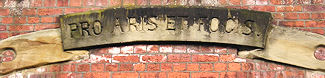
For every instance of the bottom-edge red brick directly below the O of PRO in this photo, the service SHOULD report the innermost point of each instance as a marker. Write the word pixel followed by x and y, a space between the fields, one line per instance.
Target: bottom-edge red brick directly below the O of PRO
pixel 97 75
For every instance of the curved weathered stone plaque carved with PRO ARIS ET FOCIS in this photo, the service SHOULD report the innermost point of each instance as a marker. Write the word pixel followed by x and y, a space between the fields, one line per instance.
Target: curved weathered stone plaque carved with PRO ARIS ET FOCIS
pixel 202 24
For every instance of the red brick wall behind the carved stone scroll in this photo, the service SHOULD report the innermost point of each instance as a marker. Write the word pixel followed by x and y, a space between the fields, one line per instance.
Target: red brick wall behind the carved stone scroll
pixel 157 60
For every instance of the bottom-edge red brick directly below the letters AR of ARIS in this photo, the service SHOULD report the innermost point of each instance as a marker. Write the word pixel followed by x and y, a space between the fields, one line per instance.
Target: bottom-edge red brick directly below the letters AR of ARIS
pixel 125 75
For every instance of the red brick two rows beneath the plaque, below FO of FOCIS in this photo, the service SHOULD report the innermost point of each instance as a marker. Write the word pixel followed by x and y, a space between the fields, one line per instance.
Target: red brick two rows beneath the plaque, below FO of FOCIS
pixel 205 58
